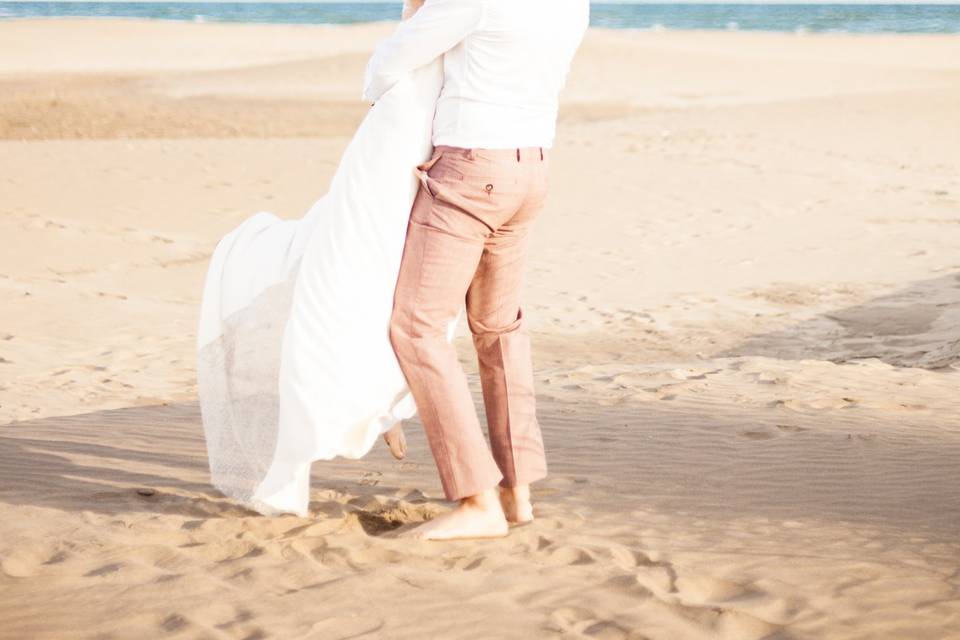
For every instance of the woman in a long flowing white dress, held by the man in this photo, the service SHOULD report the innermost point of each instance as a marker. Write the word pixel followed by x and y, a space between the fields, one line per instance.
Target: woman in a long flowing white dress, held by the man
pixel 294 357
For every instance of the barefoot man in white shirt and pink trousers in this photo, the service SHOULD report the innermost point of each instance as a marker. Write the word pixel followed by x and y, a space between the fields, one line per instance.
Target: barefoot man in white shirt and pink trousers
pixel 504 64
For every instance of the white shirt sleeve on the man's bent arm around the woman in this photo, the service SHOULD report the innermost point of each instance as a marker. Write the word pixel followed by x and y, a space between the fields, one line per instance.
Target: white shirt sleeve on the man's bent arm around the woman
pixel 437 27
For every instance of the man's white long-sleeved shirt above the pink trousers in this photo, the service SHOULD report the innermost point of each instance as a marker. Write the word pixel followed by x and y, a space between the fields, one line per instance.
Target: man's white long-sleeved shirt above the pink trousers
pixel 504 64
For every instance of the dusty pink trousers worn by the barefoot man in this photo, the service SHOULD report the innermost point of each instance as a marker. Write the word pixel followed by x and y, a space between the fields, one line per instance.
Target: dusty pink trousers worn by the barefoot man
pixel 466 243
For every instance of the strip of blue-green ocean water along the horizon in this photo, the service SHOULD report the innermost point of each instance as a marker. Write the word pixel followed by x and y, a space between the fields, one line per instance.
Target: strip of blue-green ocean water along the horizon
pixel 852 18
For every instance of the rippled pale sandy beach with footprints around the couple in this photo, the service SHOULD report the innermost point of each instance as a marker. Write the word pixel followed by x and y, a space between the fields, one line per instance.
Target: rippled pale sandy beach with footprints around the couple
pixel 745 304
